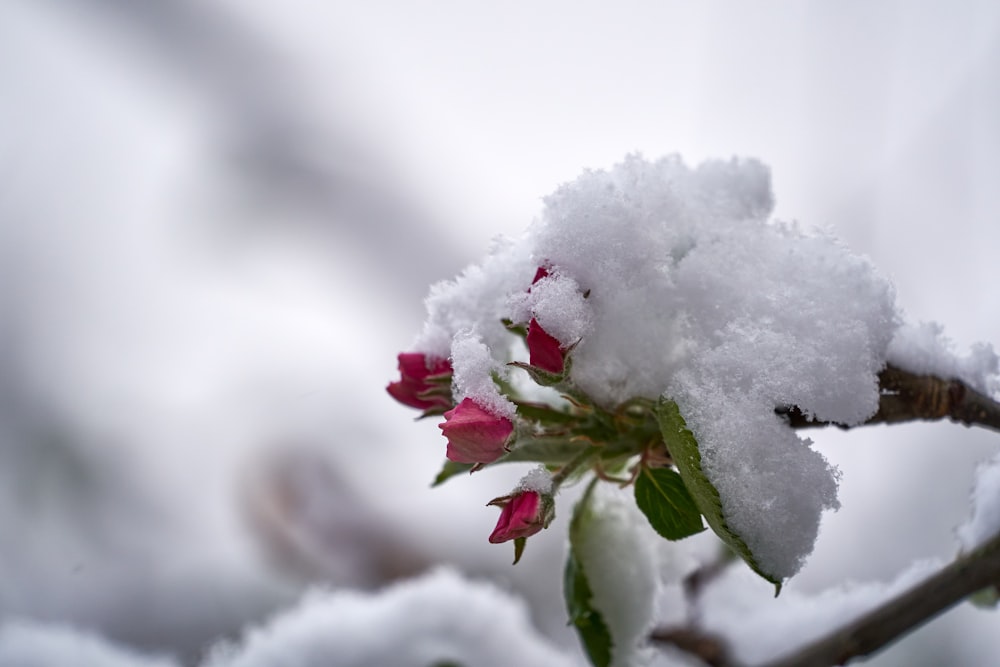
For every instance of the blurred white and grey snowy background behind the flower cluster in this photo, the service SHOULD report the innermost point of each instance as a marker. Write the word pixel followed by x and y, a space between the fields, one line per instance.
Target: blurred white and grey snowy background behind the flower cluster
pixel 218 221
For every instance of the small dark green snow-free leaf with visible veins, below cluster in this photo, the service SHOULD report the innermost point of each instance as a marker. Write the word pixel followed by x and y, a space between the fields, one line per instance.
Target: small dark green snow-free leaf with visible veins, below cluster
pixel 661 495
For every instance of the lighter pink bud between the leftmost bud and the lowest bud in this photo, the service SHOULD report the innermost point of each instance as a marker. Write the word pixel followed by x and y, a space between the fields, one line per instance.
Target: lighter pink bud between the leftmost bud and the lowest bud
pixel 475 435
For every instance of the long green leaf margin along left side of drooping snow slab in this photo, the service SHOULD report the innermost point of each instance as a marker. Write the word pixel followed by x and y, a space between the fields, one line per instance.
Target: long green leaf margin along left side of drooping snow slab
pixel 684 451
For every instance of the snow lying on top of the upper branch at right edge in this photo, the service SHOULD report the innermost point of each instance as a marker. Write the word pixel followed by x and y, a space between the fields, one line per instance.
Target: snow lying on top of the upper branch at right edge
pixel 925 350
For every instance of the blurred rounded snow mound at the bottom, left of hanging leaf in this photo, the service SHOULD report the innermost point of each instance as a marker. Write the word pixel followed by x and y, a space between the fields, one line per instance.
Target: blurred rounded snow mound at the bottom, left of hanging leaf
pixel 440 618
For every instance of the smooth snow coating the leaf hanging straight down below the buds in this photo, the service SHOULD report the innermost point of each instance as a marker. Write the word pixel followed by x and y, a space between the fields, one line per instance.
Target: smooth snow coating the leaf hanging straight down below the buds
pixel 617 551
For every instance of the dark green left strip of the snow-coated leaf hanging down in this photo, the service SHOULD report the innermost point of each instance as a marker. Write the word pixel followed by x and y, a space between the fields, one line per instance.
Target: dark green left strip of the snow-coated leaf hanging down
pixel 590 626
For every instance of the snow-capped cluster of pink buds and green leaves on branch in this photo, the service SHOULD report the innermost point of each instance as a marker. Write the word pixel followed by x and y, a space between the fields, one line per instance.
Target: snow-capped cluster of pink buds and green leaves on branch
pixel 706 323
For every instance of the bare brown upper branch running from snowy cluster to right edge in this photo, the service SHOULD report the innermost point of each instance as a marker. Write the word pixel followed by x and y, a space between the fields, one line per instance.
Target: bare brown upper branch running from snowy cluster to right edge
pixel 908 397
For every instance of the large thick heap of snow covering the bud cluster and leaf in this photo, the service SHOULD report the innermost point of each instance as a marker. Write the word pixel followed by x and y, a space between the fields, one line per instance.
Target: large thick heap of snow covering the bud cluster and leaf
pixel 675 284
